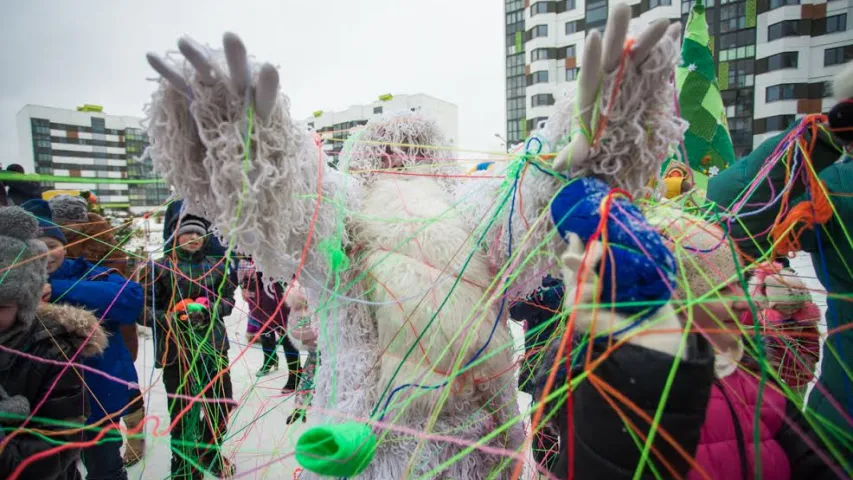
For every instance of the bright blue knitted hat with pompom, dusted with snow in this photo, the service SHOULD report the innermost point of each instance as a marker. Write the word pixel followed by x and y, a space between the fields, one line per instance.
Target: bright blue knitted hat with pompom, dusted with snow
pixel 633 268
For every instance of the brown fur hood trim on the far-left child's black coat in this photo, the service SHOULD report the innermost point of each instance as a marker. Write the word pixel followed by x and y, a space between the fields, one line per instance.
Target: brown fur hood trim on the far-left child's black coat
pixel 75 323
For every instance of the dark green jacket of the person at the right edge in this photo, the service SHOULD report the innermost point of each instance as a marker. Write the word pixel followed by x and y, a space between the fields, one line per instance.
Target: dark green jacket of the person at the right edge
pixel 831 251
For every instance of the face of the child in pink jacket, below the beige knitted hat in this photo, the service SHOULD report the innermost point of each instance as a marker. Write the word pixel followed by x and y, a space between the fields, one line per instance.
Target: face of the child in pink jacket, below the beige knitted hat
pixel 721 311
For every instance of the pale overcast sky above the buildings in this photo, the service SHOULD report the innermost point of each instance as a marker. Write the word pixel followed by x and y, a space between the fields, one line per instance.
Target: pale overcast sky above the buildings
pixel 331 53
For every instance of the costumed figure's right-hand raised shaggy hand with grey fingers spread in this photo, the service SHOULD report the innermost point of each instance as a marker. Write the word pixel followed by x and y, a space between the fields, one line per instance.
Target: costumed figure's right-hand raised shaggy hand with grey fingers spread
pixel 625 118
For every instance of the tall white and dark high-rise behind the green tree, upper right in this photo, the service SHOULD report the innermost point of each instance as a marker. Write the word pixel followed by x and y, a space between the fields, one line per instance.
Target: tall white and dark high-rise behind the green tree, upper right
pixel 774 57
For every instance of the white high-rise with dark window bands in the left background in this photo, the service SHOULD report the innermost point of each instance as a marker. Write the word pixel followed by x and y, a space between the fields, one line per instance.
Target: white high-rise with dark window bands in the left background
pixel 87 144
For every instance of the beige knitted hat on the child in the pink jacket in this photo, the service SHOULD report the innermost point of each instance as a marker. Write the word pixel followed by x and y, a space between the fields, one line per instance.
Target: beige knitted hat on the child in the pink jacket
pixel 706 260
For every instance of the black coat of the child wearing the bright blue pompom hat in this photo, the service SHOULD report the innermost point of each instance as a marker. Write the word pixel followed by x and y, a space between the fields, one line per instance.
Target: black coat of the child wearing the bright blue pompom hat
pixel 603 448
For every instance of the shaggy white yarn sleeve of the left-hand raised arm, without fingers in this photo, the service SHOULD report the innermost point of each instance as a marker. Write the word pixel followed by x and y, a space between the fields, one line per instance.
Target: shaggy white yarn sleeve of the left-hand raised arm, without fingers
pixel 256 181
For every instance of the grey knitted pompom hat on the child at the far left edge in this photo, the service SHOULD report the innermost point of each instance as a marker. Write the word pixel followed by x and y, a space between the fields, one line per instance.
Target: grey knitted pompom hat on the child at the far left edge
pixel 23 261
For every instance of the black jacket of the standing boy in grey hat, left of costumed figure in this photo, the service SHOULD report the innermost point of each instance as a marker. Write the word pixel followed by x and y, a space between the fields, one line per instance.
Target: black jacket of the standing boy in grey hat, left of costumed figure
pixel 200 276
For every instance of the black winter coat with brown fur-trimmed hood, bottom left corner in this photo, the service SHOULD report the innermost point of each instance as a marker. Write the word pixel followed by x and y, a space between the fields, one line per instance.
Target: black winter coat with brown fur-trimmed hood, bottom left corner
pixel 57 334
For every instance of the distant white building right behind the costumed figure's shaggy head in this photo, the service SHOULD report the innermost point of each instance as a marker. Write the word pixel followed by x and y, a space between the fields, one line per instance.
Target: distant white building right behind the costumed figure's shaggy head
pixel 335 127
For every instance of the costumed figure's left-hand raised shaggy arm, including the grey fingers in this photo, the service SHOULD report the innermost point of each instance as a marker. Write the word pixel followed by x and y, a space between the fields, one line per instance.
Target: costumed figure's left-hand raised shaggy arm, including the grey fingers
pixel 222 135
